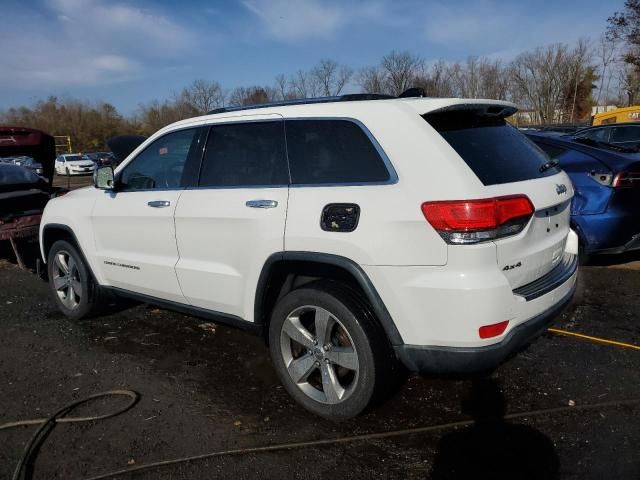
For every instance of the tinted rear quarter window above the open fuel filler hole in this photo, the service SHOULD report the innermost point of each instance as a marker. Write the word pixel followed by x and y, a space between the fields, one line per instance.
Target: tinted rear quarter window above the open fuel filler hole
pixel 332 151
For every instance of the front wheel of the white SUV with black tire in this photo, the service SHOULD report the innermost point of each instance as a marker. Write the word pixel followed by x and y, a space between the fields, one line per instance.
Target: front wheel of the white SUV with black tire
pixel 74 305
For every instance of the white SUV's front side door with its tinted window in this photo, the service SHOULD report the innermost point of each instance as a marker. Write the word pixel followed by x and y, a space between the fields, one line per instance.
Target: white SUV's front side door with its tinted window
pixel 133 226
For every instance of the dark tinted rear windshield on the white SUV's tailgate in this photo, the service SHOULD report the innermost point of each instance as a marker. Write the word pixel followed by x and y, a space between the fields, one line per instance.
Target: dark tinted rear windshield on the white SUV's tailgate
pixel 494 150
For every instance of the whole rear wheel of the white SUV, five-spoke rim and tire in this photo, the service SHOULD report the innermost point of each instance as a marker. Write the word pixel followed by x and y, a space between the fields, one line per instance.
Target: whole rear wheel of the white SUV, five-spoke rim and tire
pixel 327 351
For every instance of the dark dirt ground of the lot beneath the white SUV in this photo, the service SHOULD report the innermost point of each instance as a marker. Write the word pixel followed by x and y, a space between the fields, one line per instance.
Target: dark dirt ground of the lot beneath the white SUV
pixel 206 389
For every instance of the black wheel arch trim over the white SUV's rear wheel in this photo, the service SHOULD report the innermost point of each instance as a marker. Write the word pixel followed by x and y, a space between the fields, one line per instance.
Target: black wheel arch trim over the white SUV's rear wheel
pixel 285 271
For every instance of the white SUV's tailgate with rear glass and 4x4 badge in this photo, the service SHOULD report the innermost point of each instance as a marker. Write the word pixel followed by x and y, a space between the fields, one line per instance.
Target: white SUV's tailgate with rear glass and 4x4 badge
pixel 508 163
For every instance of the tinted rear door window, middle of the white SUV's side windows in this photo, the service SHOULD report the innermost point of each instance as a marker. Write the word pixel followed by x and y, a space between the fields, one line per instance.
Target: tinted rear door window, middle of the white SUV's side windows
pixel 245 155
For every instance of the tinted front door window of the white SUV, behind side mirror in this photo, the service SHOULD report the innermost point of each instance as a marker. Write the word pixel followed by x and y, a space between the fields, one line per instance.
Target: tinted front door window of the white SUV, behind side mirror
pixel 161 164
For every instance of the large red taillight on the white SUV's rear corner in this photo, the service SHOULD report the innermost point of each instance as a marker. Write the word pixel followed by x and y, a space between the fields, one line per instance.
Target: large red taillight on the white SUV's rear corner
pixel 473 221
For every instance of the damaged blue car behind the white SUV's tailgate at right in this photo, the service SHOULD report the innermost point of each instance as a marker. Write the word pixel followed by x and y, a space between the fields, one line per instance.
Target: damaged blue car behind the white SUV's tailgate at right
pixel 605 211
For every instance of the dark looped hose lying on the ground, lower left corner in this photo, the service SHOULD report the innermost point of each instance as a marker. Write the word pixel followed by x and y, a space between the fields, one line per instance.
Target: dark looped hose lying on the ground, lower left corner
pixel 47 424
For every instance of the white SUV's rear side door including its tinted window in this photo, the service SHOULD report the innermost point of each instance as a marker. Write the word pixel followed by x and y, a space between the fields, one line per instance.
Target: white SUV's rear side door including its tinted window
pixel 229 225
